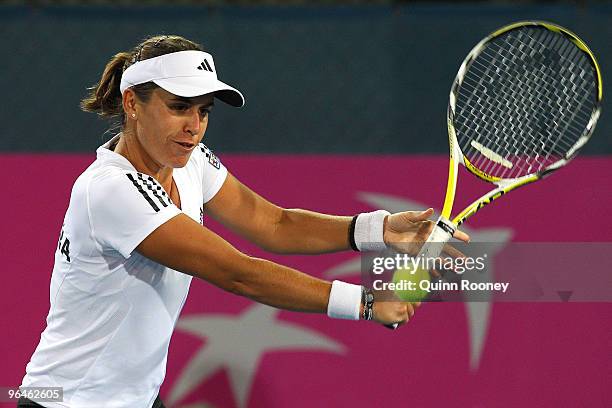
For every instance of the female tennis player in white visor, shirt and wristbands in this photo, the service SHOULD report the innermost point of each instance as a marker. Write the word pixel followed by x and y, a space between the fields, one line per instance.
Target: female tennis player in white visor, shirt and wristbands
pixel 133 238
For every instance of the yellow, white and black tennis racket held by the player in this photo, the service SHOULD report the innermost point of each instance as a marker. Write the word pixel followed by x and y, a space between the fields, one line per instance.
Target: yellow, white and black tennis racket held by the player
pixel 524 102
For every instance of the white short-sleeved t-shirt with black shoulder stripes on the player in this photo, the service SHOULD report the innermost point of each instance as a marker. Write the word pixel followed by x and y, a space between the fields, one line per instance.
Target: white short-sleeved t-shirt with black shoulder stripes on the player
pixel 112 310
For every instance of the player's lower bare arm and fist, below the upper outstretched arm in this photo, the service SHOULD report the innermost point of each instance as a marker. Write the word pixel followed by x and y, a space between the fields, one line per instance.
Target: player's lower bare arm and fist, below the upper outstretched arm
pixel 184 245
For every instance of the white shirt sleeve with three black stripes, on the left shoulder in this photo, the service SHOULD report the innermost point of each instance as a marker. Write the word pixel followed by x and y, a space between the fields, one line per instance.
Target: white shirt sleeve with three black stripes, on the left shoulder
pixel 124 208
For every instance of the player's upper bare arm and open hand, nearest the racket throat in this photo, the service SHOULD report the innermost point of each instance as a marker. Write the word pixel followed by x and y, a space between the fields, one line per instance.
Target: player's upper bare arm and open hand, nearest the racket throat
pixel 297 231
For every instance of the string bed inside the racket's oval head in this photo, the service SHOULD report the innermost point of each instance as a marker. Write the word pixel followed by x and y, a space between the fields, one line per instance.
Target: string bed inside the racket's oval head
pixel 524 102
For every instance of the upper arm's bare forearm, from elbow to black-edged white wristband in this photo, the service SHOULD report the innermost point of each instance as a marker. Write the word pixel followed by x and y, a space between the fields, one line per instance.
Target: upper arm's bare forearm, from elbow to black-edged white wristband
pixel 306 232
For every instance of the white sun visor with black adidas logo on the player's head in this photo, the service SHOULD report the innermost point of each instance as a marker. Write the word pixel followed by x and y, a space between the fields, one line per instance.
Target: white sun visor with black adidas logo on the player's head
pixel 183 73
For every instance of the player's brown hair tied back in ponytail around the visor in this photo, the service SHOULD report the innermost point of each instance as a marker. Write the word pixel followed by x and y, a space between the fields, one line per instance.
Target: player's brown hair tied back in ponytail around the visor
pixel 105 98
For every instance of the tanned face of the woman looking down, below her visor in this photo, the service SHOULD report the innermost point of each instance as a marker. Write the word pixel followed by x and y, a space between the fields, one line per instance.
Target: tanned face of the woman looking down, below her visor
pixel 169 127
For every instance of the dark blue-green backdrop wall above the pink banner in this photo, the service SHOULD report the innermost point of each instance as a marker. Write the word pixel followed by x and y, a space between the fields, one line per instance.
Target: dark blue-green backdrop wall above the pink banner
pixel 316 79
